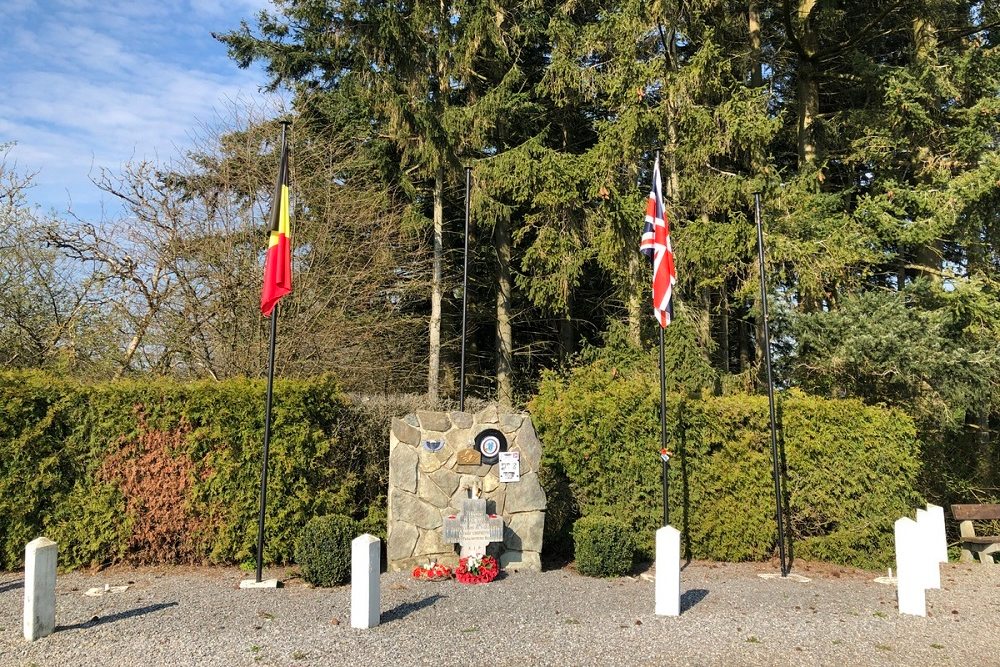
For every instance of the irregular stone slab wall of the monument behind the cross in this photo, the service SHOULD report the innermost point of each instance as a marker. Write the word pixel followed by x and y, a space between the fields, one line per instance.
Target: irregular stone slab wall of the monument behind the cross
pixel 426 486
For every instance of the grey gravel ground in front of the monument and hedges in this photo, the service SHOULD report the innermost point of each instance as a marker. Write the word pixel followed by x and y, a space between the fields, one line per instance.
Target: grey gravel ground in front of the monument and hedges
pixel 730 616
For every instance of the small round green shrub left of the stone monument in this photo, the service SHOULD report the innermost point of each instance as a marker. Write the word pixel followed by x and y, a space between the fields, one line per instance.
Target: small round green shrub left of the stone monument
pixel 323 551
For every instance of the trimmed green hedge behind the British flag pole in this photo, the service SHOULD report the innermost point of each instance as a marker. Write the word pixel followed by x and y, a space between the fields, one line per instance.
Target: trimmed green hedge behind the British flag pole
pixel 851 468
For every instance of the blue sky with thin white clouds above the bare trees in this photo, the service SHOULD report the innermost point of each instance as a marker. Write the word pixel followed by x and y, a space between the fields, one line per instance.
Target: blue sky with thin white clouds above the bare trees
pixel 89 84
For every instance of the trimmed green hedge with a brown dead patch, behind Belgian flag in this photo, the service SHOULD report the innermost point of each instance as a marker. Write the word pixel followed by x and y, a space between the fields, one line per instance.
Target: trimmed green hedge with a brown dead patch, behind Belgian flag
pixel 164 472
